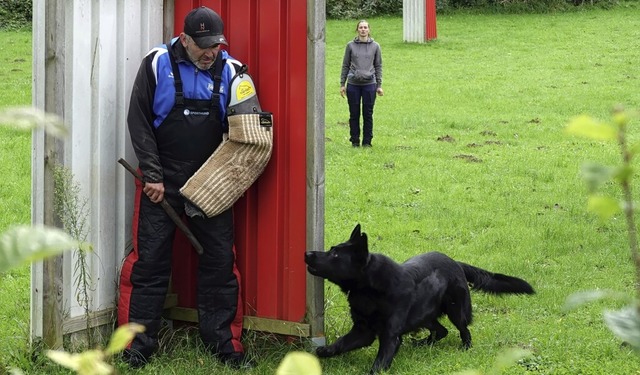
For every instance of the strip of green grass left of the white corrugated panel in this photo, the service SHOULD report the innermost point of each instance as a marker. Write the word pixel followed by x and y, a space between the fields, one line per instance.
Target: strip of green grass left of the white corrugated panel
pixel 15 191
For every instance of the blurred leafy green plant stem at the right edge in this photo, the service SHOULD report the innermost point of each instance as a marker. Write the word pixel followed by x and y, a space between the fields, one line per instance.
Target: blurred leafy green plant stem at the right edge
pixel 624 323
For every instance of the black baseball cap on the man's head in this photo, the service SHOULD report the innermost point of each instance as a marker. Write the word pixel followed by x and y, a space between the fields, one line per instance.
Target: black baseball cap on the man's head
pixel 205 27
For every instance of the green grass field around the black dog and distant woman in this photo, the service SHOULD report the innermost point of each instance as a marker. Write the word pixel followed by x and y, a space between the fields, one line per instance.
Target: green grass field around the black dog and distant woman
pixel 469 158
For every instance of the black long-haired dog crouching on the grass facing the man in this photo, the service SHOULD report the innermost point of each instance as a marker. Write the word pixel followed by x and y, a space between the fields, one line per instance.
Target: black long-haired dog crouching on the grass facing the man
pixel 388 300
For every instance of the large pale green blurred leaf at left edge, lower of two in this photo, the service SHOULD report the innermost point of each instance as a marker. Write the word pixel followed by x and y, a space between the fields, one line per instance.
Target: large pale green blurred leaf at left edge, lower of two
pixel 24 244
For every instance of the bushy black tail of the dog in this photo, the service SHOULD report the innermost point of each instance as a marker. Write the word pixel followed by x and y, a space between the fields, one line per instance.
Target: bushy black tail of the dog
pixel 495 283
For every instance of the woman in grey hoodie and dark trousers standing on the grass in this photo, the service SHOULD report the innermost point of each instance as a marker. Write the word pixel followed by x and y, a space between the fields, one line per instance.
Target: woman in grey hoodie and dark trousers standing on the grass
pixel 362 75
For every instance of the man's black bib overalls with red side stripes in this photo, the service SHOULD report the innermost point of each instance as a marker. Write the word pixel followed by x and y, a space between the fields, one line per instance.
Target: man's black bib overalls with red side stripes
pixel 186 138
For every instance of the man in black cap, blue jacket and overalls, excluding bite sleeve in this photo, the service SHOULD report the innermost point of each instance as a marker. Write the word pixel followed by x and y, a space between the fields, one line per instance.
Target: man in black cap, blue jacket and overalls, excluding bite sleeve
pixel 176 119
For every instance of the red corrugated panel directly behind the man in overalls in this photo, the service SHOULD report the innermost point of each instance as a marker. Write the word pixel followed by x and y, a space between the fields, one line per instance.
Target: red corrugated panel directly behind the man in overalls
pixel 270 37
